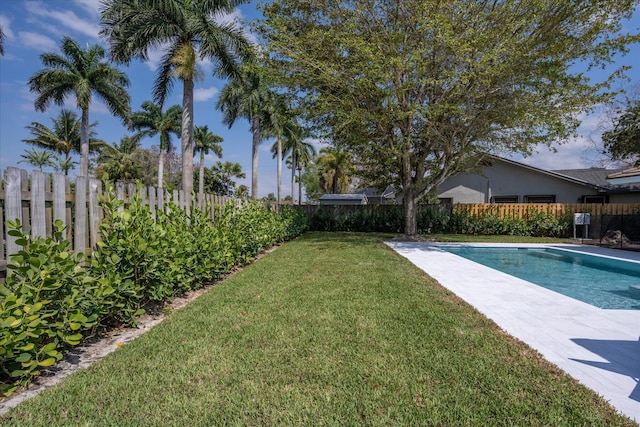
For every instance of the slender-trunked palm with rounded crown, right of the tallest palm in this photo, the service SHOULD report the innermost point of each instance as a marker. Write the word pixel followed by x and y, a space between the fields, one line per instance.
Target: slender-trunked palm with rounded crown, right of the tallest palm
pixel 246 96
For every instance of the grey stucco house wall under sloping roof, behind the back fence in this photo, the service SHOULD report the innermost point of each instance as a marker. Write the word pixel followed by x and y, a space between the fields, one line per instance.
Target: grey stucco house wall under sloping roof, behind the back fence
pixel 506 179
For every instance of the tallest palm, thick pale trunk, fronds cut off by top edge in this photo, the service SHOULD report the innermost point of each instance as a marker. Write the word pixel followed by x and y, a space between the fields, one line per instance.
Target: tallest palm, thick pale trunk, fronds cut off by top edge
pixel 186 30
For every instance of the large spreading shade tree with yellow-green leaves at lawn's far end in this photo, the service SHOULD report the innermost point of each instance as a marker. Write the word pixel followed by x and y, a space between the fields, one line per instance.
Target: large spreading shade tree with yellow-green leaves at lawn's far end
pixel 418 90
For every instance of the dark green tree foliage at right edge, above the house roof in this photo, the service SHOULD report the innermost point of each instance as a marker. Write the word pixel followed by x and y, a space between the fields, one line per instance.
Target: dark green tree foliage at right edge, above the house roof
pixel 623 141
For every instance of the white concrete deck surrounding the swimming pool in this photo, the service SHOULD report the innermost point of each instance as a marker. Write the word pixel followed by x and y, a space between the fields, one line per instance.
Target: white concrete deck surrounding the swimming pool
pixel 600 348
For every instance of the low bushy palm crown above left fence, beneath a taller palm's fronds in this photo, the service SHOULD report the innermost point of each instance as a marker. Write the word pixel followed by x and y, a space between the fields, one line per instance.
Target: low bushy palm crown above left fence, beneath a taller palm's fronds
pixel 64 138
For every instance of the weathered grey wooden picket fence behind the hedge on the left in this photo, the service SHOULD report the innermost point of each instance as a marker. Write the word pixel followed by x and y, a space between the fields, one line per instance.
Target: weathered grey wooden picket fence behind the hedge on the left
pixel 41 199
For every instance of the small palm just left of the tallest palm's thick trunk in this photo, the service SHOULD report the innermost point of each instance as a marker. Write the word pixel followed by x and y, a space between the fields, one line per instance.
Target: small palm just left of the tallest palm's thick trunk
pixel 151 121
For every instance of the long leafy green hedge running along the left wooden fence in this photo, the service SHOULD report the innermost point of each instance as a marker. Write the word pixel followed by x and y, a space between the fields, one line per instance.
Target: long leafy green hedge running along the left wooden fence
pixel 53 298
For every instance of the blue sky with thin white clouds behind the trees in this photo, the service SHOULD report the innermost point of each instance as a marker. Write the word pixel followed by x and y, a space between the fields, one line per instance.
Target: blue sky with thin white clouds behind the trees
pixel 34 27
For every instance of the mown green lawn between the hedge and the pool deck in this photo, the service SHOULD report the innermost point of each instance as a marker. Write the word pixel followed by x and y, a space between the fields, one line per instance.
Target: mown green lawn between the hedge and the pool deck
pixel 330 329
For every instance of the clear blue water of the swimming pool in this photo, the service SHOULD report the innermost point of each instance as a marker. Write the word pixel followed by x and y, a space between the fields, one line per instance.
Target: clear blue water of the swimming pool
pixel 599 281
